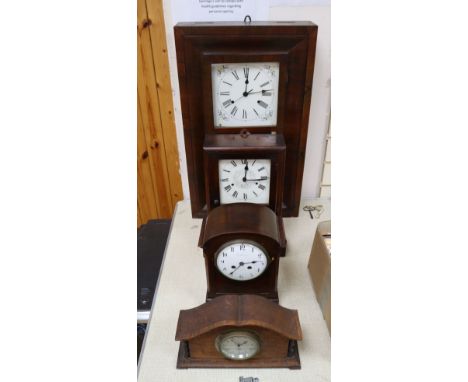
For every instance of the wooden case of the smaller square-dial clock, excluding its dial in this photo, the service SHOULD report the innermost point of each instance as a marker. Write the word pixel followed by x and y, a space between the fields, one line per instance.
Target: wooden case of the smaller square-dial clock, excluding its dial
pixel 234 146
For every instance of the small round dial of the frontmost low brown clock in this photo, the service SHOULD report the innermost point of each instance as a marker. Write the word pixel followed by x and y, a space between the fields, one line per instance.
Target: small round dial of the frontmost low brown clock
pixel 238 345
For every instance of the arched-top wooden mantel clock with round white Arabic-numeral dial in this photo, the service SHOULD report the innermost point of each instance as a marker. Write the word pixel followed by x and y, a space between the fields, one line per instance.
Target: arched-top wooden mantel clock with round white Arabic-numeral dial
pixel 242 244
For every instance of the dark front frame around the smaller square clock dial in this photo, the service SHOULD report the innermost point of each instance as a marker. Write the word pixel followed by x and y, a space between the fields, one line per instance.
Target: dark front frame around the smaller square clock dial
pixel 212 156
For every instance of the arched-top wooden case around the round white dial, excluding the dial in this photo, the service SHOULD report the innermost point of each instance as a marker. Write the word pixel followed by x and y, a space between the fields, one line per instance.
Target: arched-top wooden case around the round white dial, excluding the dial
pixel 251 222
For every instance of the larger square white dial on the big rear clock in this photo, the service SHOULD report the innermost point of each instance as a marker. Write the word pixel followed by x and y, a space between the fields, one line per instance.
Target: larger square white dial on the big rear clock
pixel 245 94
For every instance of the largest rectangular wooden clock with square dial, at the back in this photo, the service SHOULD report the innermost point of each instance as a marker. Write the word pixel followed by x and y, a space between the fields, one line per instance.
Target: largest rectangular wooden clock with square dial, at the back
pixel 256 76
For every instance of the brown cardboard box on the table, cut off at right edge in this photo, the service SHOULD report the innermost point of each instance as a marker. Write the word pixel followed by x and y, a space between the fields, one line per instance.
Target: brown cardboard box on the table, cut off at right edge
pixel 320 269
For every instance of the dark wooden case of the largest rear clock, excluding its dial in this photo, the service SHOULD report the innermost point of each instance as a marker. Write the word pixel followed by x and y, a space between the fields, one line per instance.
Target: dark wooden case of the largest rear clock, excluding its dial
pixel 199 45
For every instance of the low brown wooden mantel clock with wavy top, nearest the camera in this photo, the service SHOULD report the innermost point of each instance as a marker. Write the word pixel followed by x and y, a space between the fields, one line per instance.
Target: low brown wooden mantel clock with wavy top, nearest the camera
pixel 238 332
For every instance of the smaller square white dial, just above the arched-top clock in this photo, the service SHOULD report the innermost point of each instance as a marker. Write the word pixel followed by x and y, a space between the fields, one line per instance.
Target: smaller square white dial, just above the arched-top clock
pixel 244 181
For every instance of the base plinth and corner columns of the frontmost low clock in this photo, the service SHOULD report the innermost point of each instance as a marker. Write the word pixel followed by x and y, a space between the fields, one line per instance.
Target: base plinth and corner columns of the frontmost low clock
pixel 291 361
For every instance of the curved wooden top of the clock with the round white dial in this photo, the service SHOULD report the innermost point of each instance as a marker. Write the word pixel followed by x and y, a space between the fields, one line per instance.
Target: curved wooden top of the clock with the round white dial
pixel 250 219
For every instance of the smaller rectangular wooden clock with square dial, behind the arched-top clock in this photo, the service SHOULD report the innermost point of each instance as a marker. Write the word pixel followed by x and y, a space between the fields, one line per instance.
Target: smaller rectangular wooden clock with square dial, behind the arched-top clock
pixel 244 169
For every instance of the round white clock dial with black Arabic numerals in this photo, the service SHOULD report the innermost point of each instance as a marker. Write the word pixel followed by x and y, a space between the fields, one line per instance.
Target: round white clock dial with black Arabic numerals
pixel 241 260
